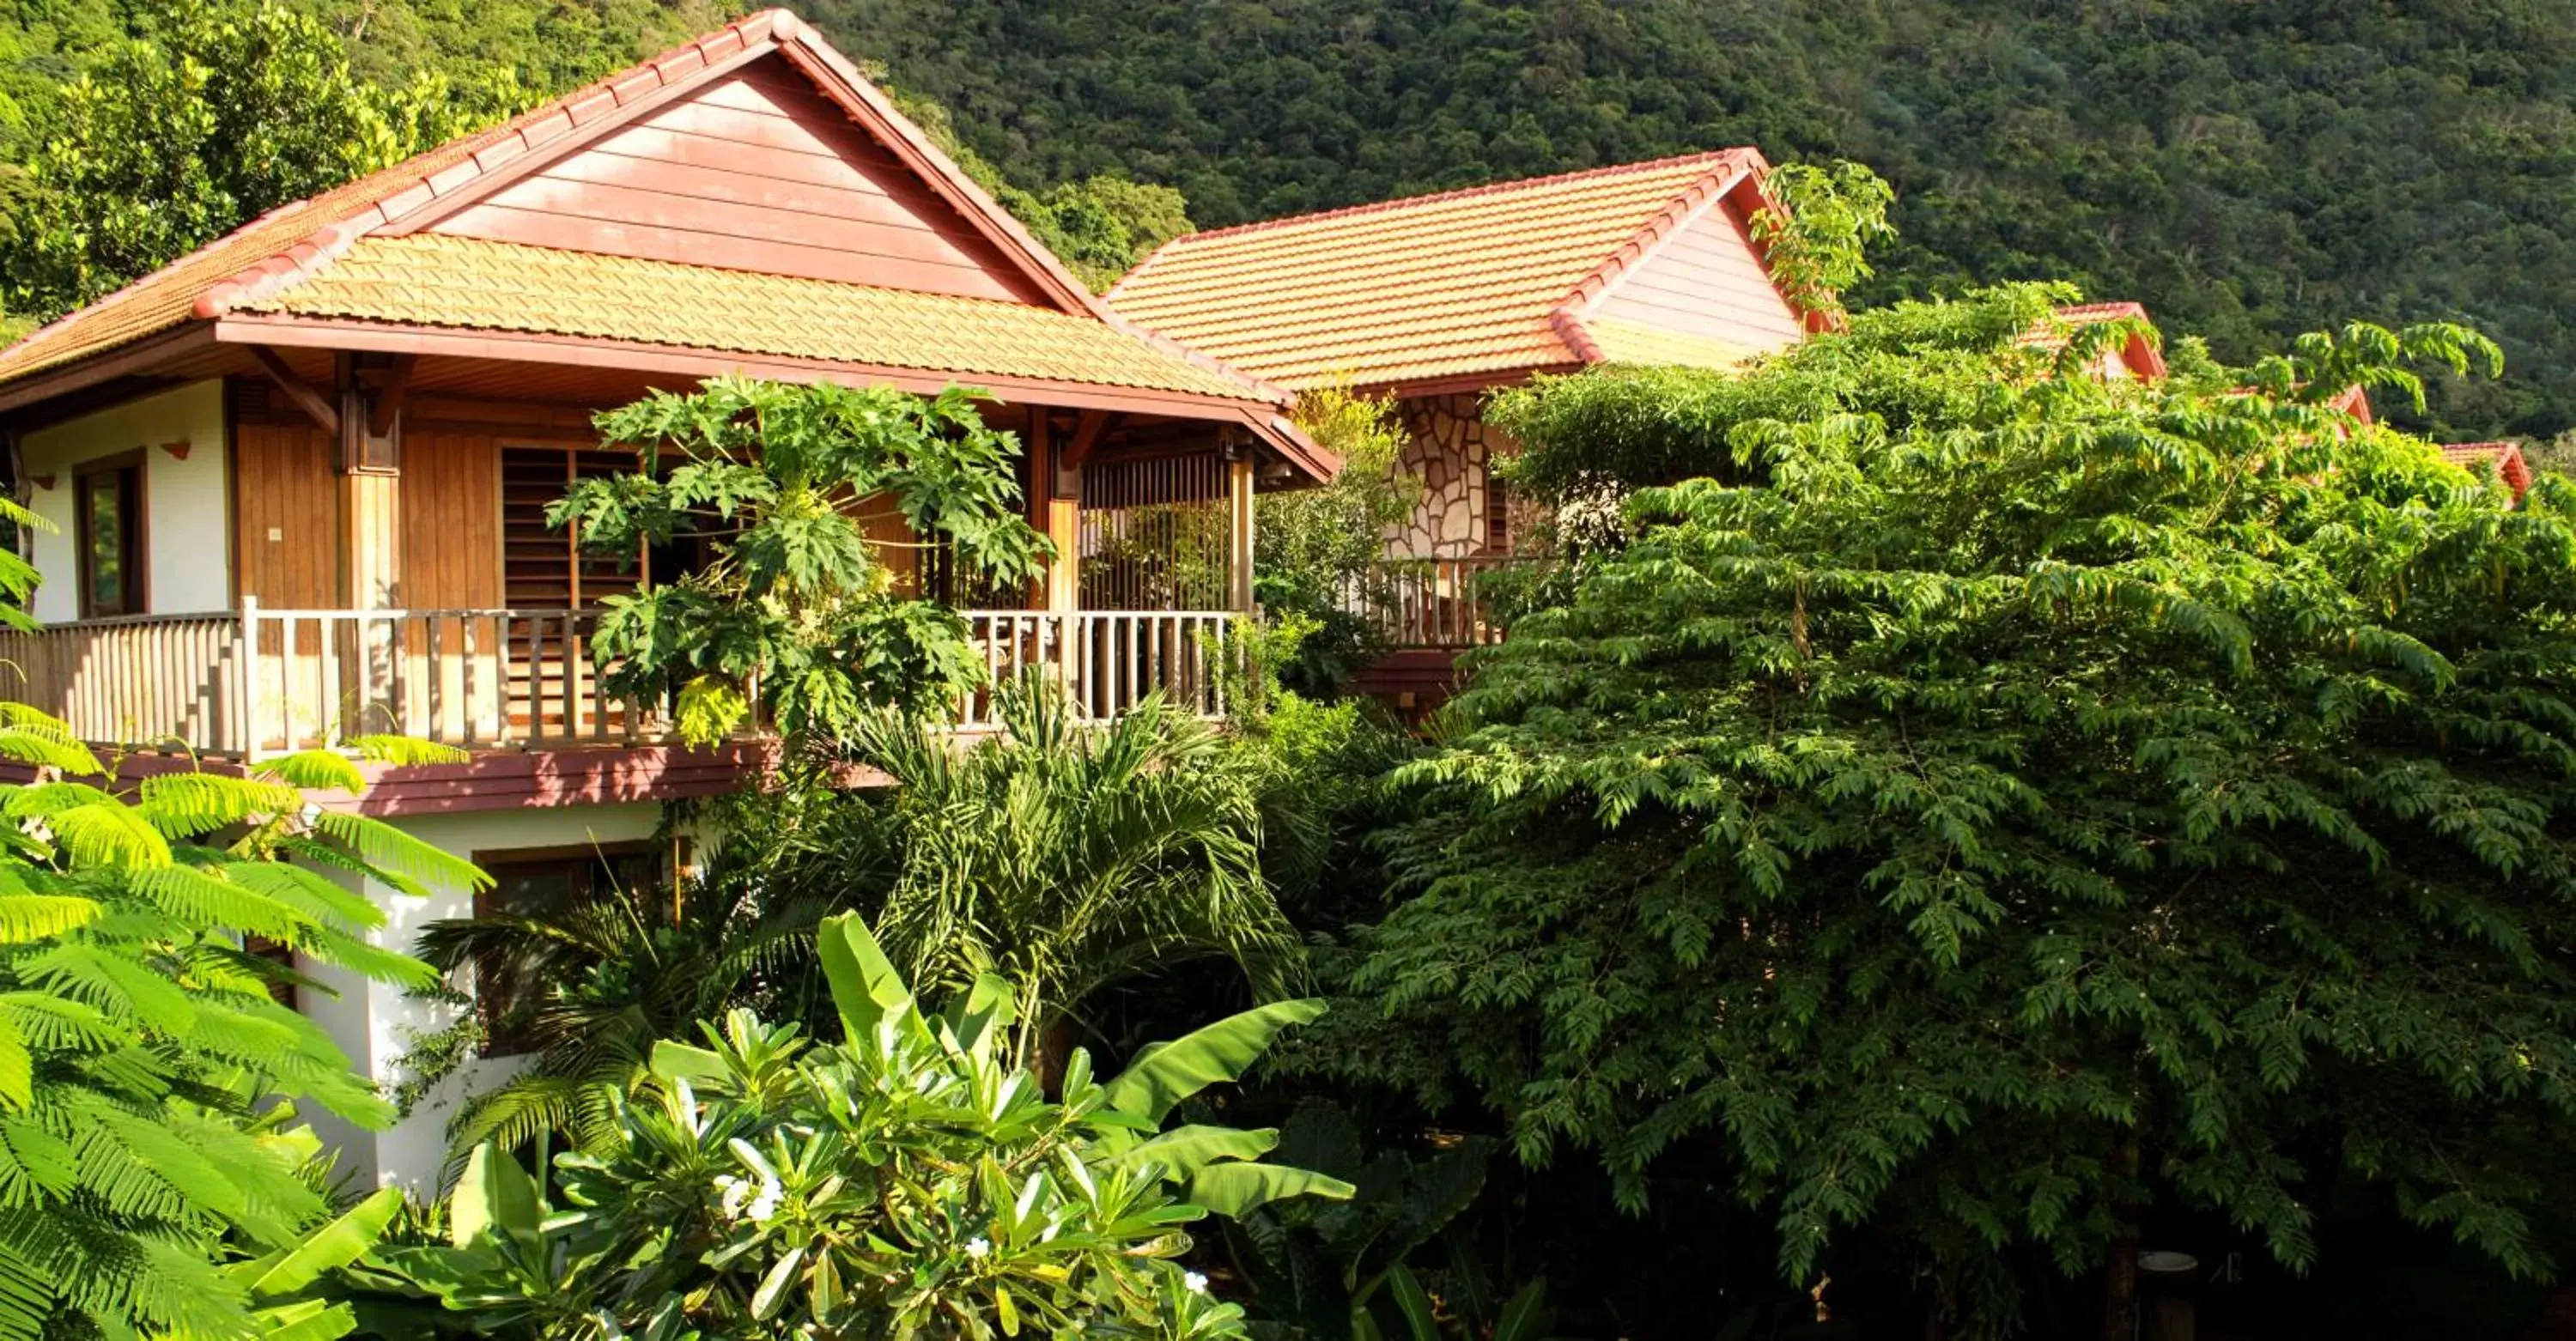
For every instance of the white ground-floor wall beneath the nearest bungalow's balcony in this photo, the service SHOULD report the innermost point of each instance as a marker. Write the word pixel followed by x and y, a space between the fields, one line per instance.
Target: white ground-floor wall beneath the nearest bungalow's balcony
pixel 375 1023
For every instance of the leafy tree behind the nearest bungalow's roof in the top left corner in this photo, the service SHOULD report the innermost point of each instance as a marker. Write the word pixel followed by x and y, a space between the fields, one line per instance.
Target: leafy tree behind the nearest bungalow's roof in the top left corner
pixel 225 112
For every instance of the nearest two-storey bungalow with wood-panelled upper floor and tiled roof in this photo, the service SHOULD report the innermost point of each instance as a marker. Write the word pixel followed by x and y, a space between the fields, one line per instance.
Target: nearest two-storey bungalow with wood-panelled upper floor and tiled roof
pixel 298 477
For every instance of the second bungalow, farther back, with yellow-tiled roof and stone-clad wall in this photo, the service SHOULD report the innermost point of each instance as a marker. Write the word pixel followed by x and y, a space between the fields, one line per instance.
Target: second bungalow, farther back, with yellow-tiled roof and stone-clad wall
pixel 1441 300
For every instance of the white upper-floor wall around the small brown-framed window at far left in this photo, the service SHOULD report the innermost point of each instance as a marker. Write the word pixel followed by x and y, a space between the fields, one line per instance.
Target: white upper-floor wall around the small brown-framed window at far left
pixel 187 511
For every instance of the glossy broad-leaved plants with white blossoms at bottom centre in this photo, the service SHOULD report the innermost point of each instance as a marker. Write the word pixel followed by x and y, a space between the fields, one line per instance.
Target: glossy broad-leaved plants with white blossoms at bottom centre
pixel 900 1183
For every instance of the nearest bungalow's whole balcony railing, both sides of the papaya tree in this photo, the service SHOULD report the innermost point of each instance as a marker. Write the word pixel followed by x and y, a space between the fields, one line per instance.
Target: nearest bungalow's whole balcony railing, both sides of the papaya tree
pixel 254 683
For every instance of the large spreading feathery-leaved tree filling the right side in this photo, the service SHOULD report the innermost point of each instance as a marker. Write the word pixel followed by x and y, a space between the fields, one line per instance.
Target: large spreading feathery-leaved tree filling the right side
pixel 2039 809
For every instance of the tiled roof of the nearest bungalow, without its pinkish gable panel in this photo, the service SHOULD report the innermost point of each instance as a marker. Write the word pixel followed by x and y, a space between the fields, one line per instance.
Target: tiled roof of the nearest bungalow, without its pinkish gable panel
pixel 321 256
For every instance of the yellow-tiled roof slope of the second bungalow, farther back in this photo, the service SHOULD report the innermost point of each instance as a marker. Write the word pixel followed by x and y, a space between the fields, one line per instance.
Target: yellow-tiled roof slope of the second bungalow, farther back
pixel 1405 292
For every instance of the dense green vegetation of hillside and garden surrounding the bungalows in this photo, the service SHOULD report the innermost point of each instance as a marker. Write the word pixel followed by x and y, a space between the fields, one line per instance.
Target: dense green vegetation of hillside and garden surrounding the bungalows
pixel 1941 828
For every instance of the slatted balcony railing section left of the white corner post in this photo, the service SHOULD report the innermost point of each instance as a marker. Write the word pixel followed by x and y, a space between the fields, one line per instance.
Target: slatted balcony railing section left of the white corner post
pixel 151 681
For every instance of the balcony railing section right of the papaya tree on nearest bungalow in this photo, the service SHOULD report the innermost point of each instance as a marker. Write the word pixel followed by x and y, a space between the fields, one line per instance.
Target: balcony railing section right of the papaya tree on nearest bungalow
pixel 1112 660
